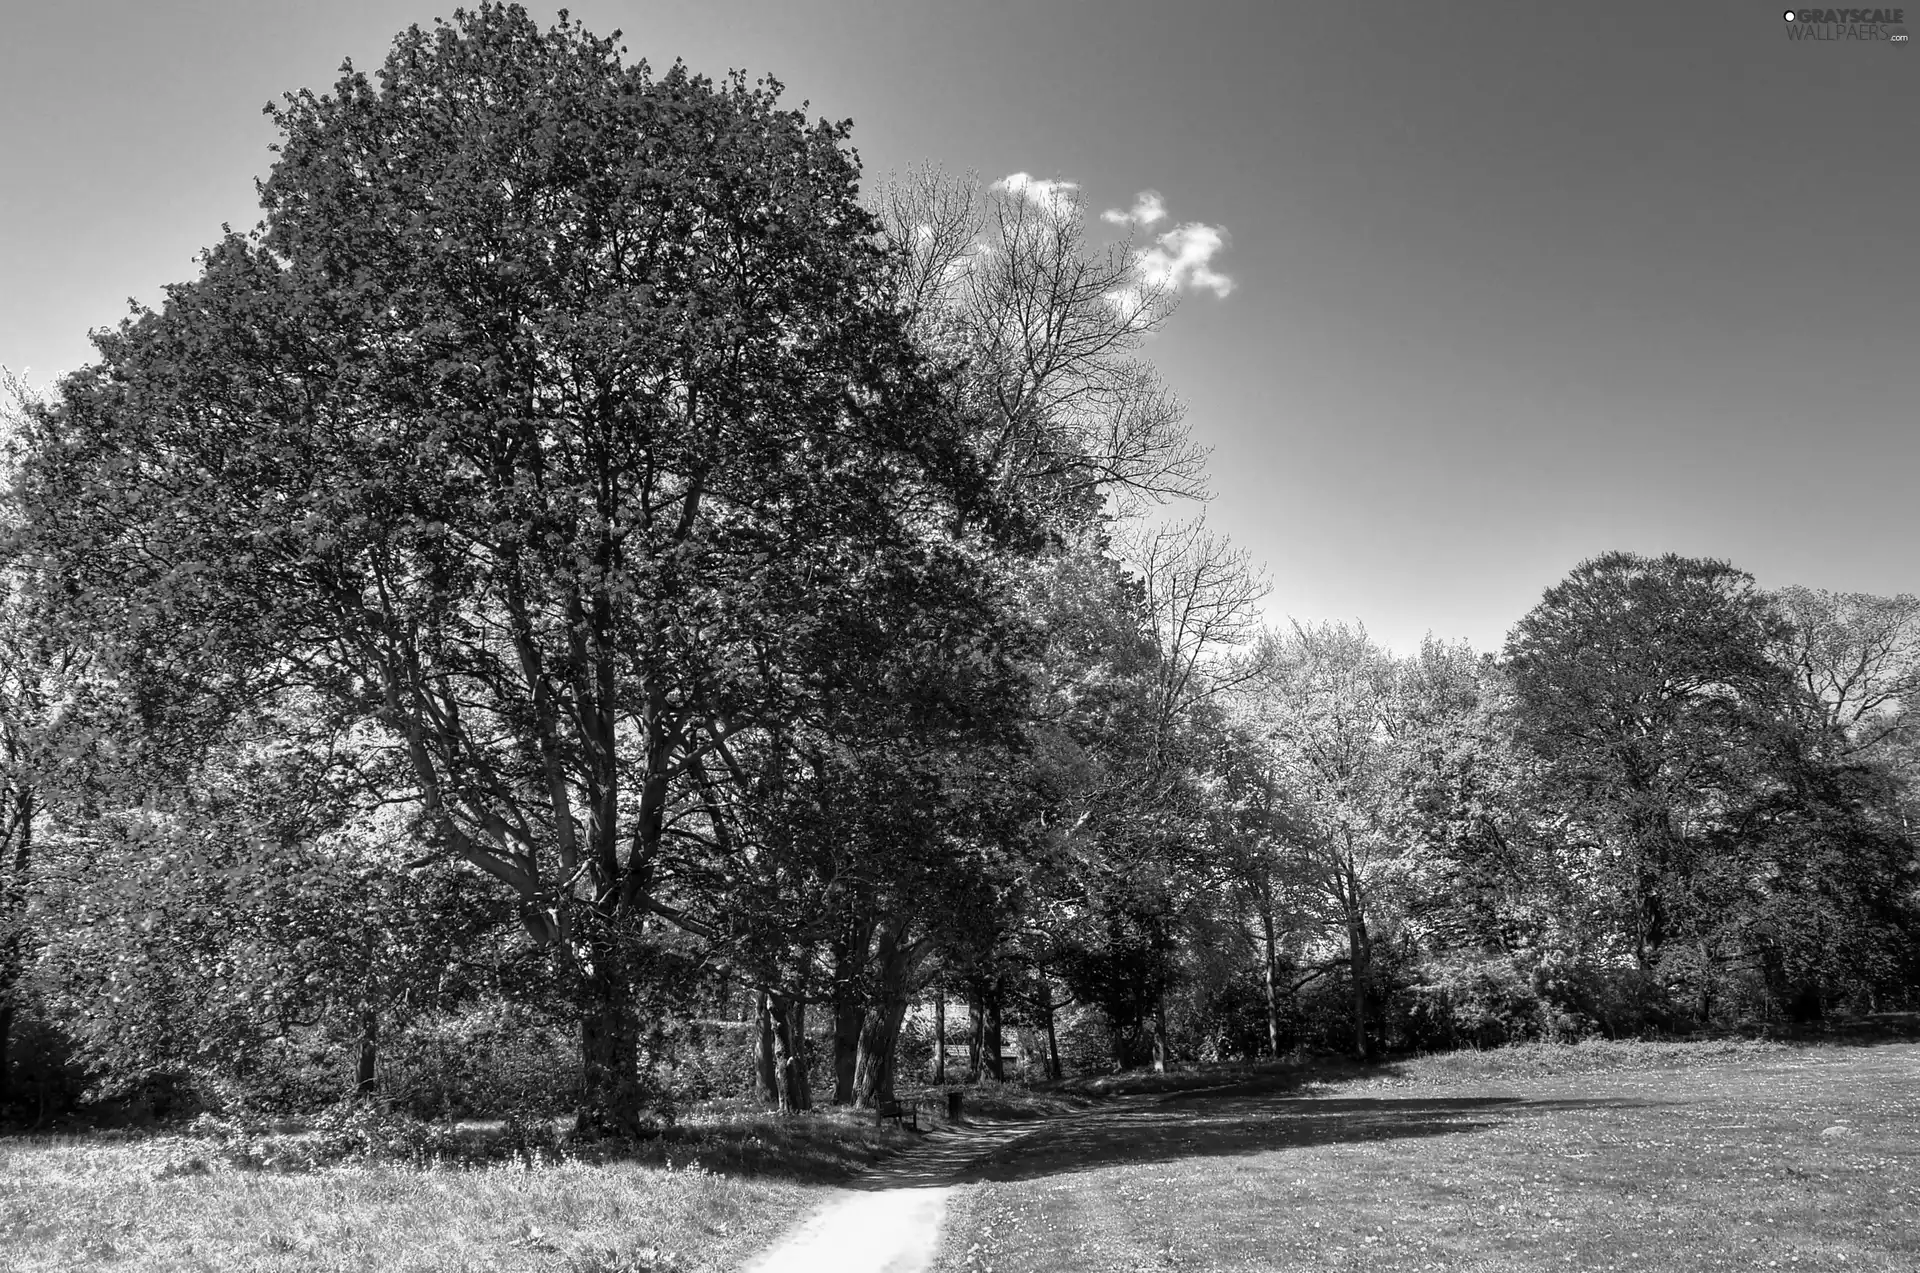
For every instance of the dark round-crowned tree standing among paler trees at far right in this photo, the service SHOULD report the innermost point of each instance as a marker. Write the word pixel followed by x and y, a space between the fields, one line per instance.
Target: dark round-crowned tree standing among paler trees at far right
pixel 1648 690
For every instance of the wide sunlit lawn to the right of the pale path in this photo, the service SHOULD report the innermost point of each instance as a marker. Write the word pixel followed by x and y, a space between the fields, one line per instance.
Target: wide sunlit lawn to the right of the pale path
pixel 1608 1157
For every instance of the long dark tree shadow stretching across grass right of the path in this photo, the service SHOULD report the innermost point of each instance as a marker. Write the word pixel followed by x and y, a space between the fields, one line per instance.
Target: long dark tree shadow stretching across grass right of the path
pixel 1247 1118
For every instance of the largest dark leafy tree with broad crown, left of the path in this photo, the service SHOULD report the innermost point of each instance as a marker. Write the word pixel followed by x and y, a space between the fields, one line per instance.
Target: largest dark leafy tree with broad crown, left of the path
pixel 558 427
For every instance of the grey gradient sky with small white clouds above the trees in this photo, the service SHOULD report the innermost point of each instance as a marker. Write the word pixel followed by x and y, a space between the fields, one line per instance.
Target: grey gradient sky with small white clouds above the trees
pixel 1497 287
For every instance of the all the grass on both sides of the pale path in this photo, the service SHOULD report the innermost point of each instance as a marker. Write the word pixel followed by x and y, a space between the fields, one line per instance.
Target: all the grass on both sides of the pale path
pixel 1602 1157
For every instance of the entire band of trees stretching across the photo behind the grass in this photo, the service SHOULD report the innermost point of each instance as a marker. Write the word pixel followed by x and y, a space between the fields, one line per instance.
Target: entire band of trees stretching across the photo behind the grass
pixel 585 562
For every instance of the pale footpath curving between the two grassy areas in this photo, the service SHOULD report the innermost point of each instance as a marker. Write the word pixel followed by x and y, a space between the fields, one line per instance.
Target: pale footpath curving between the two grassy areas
pixel 890 1222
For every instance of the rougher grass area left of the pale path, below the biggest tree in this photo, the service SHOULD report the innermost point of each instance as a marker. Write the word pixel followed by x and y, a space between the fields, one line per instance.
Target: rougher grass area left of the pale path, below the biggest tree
pixel 700 1201
